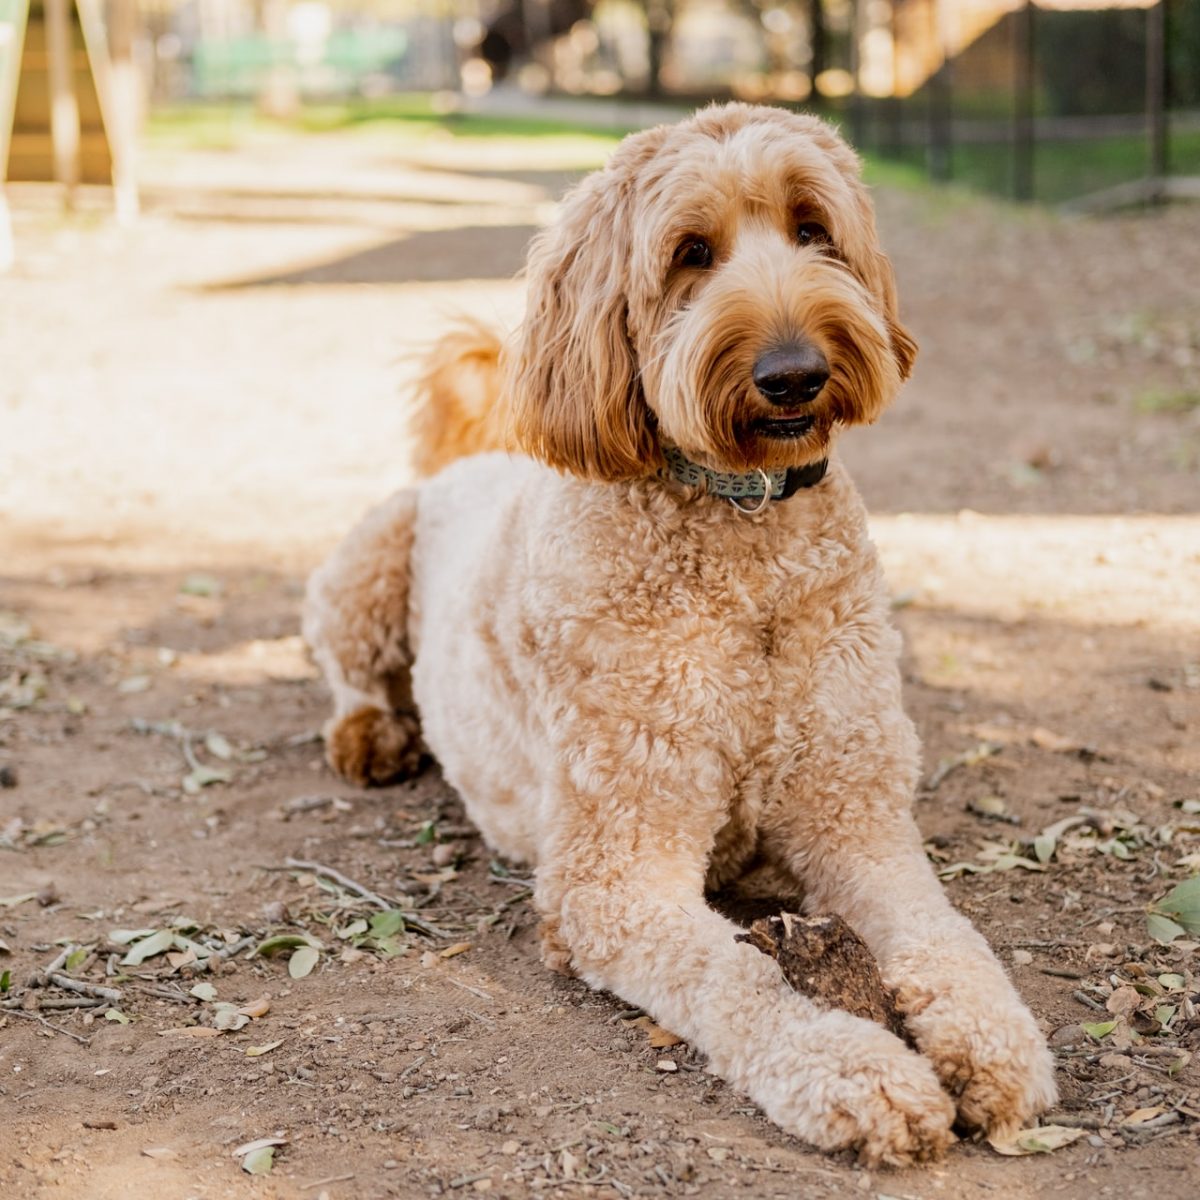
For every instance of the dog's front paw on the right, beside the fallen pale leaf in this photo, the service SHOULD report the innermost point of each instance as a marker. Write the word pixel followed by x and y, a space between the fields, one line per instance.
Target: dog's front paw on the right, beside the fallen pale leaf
pixel 988 1053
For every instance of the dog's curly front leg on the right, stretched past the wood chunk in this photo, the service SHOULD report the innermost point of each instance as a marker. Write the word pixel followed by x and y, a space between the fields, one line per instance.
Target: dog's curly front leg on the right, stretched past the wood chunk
pixel 847 831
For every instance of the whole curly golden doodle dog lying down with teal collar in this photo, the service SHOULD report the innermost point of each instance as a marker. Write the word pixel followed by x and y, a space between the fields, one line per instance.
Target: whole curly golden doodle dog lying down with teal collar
pixel 653 649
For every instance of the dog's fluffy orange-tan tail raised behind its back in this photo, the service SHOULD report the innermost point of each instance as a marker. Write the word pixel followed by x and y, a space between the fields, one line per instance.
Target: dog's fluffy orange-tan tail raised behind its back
pixel 459 403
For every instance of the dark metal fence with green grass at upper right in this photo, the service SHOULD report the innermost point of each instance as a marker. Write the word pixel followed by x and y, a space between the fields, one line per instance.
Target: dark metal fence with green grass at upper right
pixel 1058 103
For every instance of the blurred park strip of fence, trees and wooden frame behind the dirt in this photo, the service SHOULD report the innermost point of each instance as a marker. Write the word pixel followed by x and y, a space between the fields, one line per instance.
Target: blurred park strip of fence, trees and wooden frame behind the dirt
pixel 1054 101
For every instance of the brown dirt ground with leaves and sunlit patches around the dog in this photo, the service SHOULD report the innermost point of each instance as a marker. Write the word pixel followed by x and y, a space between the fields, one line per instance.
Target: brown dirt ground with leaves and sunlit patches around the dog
pixel 194 410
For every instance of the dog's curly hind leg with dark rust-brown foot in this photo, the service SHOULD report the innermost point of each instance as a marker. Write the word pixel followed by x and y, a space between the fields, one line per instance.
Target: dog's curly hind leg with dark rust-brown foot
pixel 356 621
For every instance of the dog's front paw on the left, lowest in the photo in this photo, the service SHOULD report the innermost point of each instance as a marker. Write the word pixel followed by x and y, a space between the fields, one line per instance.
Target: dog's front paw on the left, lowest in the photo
pixel 865 1090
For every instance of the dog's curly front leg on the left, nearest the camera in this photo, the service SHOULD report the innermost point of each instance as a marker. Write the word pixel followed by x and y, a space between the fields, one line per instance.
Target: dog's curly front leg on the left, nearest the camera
pixel 626 904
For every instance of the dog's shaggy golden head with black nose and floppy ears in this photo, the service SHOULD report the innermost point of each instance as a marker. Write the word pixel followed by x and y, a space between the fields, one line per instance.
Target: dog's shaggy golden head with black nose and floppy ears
pixel 718 286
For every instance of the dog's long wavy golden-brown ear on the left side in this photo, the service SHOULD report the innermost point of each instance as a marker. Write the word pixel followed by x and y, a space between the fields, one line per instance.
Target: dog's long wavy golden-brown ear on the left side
pixel 574 382
